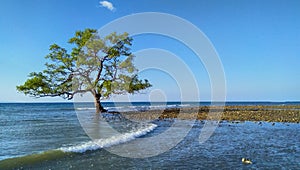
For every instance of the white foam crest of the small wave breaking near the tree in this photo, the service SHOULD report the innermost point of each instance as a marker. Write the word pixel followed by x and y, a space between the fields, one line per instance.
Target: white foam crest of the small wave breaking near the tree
pixel 107 142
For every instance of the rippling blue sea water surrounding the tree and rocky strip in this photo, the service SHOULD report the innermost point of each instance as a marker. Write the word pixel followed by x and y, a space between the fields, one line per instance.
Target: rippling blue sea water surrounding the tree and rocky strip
pixel 70 136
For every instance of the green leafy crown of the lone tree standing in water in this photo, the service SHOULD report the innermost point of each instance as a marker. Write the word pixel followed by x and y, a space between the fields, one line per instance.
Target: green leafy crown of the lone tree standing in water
pixel 101 66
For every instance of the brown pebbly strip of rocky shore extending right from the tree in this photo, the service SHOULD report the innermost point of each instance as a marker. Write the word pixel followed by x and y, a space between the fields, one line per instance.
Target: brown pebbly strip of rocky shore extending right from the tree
pixel 272 113
